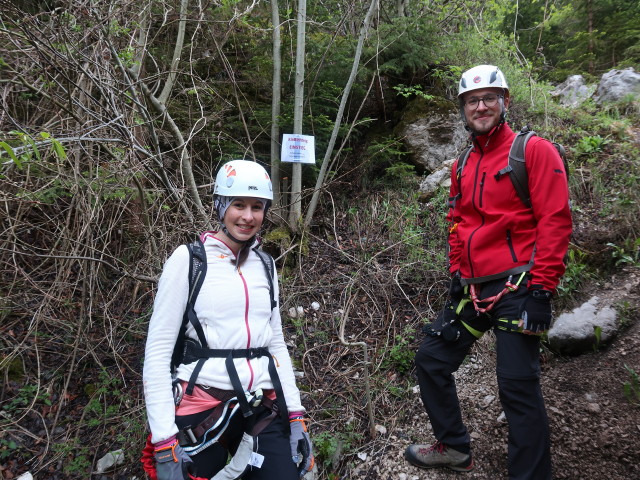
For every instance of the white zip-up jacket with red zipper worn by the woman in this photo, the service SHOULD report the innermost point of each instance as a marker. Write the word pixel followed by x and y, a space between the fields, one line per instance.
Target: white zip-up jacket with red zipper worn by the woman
pixel 234 308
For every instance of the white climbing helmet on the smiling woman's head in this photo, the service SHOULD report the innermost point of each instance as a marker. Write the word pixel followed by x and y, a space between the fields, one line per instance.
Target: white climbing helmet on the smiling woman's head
pixel 243 178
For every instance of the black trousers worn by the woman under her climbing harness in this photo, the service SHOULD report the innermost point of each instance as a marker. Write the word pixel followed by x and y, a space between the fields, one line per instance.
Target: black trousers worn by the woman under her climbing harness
pixel 271 443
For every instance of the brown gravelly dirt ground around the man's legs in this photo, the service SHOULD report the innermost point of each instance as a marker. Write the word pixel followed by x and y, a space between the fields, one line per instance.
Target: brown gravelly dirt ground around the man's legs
pixel 595 429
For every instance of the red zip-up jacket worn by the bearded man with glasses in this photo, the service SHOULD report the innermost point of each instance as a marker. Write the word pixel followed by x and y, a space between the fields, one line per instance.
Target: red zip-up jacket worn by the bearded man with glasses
pixel 491 231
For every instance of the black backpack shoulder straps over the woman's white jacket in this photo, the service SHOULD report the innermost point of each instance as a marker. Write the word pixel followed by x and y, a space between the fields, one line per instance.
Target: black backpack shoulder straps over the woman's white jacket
pixel 197 273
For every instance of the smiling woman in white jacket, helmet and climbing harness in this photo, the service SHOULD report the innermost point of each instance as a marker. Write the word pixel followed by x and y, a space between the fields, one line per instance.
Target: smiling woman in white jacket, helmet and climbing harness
pixel 227 390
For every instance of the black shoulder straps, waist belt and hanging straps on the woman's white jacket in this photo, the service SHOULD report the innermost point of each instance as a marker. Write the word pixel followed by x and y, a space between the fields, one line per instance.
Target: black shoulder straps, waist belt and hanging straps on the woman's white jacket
pixel 190 350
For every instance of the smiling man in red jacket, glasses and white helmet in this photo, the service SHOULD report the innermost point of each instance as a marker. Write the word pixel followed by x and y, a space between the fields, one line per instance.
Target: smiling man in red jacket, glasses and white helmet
pixel 506 260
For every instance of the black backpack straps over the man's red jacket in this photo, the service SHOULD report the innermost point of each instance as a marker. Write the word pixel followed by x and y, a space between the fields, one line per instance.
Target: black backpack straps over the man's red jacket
pixel 516 167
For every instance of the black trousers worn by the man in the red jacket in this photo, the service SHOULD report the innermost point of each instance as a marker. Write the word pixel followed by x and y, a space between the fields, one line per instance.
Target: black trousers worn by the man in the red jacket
pixel 518 375
